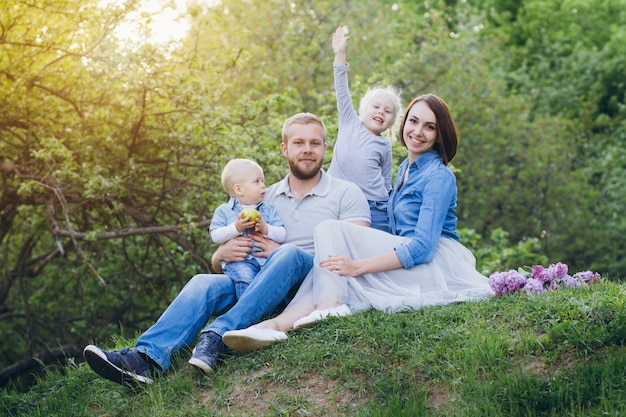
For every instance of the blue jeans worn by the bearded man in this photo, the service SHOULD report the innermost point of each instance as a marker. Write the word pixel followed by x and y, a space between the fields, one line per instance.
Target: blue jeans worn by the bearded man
pixel 209 295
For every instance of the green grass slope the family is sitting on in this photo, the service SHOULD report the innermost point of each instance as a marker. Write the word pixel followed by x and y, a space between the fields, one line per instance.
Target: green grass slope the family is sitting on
pixel 555 354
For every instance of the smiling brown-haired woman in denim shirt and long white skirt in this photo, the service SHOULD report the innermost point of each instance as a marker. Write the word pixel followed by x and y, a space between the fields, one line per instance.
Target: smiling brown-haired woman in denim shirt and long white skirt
pixel 421 263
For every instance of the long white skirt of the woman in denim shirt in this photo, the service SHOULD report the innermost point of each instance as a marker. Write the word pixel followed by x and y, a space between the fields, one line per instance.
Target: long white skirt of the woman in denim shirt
pixel 450 277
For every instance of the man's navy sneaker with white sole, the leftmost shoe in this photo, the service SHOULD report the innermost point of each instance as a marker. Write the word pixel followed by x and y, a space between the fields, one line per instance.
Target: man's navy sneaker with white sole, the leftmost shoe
pixel 126 366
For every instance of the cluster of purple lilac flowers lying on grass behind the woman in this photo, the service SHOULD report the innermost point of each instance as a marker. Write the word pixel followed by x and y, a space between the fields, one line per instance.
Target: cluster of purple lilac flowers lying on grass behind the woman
pixel 539 279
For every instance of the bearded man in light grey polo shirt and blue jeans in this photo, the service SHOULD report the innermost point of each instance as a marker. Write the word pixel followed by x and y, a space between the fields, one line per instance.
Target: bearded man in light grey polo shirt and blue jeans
pixel 304 198
